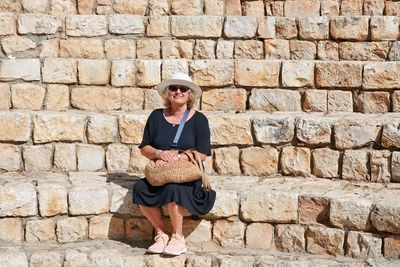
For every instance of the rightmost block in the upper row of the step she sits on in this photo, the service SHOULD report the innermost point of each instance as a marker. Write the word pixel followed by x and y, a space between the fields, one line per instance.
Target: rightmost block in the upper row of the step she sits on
pixel 385 217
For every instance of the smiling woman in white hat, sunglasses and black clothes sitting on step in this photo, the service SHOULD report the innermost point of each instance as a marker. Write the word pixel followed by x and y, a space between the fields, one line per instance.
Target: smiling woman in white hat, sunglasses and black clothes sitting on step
pixel 179 94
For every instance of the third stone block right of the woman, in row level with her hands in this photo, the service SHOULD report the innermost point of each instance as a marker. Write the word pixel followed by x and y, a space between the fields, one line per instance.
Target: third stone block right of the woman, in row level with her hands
pixel 296 161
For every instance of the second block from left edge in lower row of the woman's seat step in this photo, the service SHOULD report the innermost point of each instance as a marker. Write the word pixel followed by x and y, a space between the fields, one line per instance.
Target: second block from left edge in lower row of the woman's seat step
pixel 40 230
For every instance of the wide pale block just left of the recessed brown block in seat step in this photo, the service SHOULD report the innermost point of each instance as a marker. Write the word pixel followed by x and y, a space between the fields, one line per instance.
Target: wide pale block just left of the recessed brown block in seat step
pixel 269 206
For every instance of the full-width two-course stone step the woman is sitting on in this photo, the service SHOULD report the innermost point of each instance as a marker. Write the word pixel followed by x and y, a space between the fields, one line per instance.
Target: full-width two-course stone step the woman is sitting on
pixel 291 214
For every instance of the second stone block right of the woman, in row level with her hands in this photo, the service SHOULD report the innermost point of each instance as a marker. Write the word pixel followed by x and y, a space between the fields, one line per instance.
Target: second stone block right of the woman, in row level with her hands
pixel 259 161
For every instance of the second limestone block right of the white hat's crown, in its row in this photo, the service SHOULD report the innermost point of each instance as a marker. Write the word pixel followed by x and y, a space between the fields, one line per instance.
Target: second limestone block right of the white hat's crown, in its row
pixel 250 72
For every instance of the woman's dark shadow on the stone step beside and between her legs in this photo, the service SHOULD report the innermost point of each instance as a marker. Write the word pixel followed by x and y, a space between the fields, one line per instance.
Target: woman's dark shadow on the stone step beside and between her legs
pixel 126 223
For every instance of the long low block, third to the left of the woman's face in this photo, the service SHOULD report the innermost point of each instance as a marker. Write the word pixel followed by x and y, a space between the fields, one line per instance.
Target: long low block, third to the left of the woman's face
pixel 96 98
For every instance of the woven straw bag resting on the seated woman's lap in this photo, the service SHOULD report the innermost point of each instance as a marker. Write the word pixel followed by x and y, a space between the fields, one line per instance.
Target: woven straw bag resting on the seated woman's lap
pixel 181 171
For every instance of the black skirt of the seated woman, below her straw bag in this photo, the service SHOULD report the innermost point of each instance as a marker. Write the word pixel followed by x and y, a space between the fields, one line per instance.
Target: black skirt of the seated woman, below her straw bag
pixel 190 195
